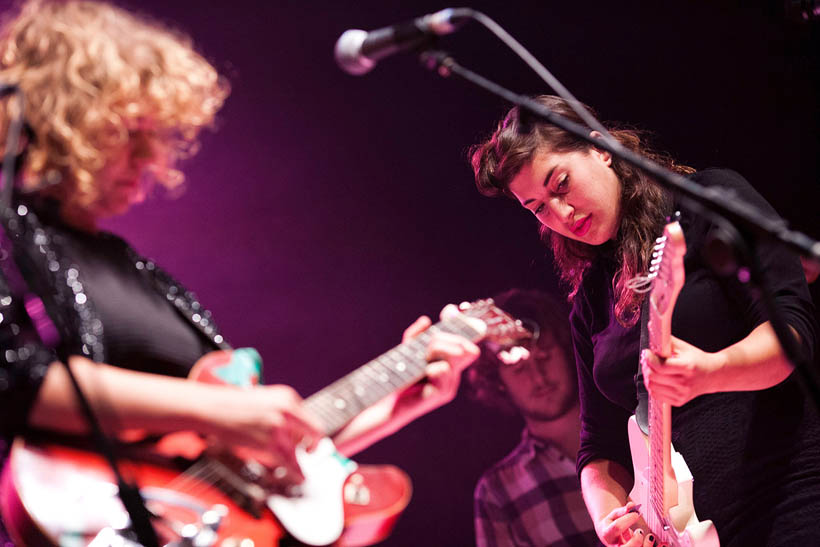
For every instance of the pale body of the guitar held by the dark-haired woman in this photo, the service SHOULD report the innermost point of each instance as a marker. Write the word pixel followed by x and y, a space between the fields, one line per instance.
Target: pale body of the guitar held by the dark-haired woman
pixel 689 531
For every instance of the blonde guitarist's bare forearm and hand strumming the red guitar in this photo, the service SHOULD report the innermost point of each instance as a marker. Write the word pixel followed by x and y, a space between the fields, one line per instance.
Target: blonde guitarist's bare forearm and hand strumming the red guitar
pixel 269 420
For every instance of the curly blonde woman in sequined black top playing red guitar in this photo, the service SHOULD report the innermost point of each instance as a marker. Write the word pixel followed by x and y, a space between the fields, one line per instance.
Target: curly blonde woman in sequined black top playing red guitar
pixel 112 101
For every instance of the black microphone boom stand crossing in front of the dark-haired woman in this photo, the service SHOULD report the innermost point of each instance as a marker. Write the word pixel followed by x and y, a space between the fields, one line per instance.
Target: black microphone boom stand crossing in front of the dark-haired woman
pixel 713 202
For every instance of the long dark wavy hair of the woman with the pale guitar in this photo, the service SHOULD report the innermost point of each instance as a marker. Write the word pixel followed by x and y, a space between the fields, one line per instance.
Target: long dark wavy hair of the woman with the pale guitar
pixel 644 204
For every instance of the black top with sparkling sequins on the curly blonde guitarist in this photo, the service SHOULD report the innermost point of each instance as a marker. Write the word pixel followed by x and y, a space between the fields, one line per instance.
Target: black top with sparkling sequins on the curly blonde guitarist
pixel 112 306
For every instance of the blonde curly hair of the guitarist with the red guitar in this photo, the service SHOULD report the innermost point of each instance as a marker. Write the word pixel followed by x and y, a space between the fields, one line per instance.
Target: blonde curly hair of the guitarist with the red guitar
pixel 91 73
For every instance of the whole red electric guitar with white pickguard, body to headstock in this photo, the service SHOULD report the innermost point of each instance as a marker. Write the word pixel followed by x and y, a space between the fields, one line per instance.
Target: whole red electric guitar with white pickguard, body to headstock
pixel 59 492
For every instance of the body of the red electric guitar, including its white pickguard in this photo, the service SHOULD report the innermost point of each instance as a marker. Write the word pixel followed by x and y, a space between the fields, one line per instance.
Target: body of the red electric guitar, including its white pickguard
pixel 53 493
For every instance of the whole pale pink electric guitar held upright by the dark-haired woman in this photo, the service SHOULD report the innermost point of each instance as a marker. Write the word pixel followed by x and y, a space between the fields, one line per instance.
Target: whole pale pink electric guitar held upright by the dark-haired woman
pixel 663 482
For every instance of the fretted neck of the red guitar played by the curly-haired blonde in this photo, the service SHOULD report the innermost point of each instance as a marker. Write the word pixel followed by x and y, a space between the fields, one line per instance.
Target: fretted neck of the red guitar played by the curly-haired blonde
pixel 392 371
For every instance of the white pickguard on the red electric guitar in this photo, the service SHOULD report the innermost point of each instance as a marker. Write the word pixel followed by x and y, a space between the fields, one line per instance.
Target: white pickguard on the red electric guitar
pixel 317 516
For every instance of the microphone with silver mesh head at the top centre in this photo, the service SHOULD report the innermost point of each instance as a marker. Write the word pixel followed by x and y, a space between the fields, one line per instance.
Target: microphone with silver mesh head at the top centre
pixel 357 50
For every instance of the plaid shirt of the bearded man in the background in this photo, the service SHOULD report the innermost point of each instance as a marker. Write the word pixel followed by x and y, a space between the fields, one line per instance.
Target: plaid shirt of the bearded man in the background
pixel 532 497
